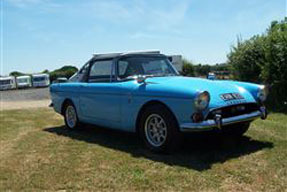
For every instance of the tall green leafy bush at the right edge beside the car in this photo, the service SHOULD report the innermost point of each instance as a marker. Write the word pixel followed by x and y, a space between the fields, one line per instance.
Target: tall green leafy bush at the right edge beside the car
pixel 263 59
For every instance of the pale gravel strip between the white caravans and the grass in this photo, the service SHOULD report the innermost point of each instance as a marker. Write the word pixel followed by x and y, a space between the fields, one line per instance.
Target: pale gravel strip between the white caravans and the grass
pixel 24 98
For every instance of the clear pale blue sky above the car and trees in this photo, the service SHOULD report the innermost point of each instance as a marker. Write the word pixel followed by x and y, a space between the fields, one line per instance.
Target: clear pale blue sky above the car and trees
pixel 47 34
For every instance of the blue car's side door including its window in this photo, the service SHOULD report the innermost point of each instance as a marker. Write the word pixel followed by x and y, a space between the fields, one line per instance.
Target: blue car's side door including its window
pixel 100 96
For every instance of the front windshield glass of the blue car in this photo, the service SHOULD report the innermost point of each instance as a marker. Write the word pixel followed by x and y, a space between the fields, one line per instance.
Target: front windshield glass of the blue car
pixel 146 66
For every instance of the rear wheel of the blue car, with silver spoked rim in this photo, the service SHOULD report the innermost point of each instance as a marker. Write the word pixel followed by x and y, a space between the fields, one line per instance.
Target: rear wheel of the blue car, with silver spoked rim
pixel 70 116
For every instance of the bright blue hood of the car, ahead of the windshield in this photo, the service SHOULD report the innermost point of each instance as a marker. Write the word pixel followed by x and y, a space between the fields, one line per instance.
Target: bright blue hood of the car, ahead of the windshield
pixel 189 87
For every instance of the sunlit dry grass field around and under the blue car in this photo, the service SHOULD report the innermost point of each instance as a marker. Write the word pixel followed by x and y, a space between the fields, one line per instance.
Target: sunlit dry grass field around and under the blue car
pixel 38 153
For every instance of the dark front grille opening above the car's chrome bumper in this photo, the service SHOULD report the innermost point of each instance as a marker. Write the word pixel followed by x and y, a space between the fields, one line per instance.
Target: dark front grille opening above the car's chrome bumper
pixel 233 110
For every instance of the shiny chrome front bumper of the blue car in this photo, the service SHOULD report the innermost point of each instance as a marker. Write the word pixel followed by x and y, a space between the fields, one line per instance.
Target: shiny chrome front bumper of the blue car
pixel 210 124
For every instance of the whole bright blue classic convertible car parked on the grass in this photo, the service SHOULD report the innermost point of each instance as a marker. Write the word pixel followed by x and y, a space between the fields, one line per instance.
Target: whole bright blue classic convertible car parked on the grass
pixel 142 92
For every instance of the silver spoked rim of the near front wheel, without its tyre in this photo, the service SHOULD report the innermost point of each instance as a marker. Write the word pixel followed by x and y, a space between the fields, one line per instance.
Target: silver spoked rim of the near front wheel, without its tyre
pixel 155 130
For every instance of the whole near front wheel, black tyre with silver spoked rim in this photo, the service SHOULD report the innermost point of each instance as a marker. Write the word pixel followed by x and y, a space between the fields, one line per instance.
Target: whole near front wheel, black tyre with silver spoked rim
pixel 159 130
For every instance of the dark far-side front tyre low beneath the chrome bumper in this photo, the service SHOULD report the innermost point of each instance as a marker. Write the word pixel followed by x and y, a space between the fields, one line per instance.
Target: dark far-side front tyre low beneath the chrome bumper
pixel 236 129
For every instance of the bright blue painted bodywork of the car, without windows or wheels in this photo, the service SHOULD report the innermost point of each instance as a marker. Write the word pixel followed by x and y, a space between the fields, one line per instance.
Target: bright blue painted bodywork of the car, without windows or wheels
pixel 117 104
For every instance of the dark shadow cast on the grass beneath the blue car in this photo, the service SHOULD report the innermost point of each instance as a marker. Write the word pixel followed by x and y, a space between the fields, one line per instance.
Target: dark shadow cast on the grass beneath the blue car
pixel 199 151
